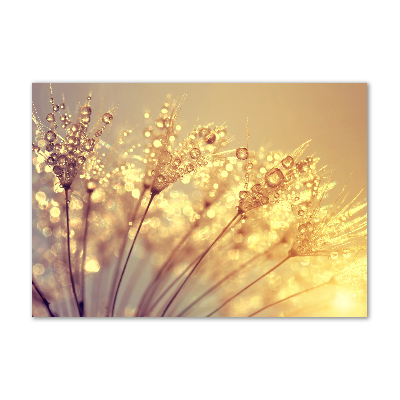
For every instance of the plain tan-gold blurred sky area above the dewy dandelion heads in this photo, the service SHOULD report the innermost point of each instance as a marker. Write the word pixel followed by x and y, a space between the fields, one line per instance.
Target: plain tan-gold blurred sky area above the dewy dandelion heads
pixel 281 115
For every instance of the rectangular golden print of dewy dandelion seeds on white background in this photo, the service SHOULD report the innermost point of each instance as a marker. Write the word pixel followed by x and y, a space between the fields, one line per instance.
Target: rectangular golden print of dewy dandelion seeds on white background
pixel 199 200
